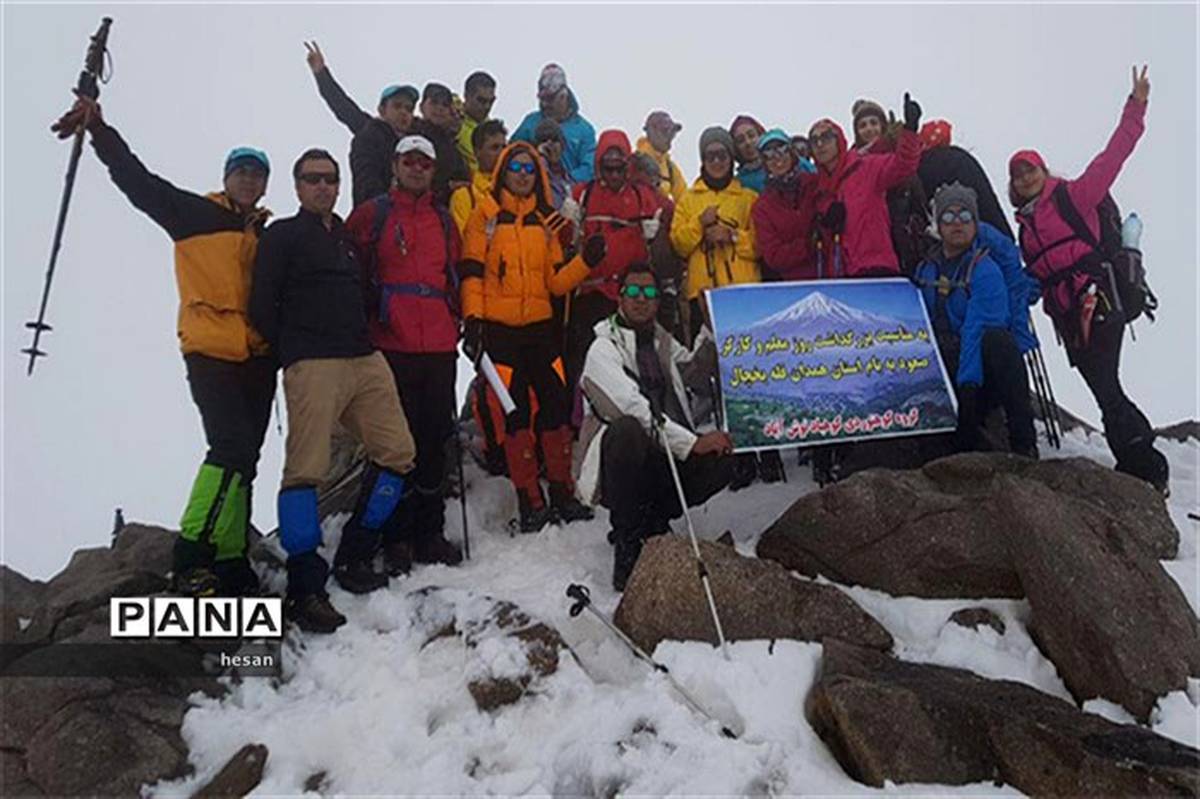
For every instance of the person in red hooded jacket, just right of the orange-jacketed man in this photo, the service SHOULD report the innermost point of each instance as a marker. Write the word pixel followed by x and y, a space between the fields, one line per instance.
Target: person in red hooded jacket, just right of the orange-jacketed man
pixel 628 214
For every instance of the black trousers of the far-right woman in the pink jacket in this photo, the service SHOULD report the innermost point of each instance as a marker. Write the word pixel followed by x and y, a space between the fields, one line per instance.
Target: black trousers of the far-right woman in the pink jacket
pixel 1126 429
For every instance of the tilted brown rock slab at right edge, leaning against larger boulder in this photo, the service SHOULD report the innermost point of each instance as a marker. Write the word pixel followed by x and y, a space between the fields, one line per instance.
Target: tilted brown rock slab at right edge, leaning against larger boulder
pixel 1105 611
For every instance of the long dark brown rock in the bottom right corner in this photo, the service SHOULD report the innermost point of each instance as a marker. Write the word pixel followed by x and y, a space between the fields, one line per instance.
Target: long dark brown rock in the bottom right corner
pixel 887 720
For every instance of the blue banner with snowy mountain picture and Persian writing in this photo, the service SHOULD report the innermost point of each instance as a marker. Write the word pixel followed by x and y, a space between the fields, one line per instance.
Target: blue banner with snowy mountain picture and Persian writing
pixel 823 362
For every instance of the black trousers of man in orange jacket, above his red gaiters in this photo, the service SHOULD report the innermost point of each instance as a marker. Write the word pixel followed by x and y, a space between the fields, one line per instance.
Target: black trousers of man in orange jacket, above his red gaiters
pixel 531 353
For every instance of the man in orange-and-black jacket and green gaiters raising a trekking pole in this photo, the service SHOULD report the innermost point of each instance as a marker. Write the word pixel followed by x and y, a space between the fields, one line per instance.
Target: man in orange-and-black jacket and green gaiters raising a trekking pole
pixel 230 373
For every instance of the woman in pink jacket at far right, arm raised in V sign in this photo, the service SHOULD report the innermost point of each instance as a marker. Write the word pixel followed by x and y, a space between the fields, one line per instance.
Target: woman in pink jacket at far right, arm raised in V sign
pixel 1075 295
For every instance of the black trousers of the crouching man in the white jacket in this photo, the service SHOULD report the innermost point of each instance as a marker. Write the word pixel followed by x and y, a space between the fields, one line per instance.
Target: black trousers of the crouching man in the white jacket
pixel 637 483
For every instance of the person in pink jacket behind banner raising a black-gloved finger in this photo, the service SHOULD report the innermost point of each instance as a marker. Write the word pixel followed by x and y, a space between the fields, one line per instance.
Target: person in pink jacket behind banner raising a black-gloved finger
pixel 851 199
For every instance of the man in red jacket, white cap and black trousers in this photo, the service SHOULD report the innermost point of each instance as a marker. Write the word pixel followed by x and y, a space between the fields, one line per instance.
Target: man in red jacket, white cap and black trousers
pixel 410 247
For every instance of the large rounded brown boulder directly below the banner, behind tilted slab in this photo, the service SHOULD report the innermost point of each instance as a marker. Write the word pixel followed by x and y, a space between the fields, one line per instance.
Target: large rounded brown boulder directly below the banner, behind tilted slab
pixel 938 532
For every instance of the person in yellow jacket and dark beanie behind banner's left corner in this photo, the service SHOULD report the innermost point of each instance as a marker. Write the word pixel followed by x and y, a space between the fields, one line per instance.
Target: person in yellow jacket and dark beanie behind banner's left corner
pixel 712 227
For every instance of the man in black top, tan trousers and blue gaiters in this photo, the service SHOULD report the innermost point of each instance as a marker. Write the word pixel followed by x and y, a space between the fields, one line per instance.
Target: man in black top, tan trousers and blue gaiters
pixel 308 301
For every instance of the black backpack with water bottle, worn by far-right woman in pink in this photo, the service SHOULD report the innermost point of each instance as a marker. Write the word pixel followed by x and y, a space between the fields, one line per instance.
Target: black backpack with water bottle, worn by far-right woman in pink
pixel 1115 267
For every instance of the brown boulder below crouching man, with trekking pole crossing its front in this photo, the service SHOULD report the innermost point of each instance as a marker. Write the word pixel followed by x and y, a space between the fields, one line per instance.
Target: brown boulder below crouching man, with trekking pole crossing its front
pixel 755 599
